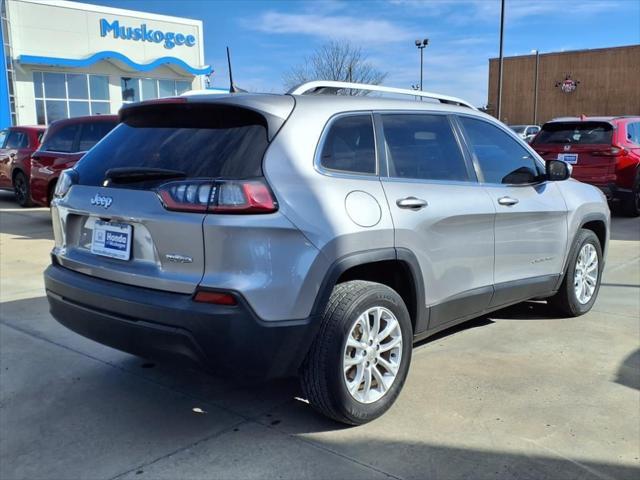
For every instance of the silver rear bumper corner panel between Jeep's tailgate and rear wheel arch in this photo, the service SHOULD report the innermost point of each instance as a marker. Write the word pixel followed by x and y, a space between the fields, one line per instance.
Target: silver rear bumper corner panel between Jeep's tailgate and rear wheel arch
pixel 267 259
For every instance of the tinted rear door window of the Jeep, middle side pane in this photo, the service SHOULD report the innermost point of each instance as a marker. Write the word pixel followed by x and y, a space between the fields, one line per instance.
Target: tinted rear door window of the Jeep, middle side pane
pixel 423 147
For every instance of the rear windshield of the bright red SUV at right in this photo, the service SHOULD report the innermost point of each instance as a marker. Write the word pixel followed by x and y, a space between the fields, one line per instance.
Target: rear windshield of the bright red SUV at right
pixel 582 133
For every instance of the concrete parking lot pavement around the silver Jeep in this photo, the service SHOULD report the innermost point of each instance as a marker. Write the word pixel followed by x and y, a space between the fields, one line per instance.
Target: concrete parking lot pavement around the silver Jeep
pixel 519 394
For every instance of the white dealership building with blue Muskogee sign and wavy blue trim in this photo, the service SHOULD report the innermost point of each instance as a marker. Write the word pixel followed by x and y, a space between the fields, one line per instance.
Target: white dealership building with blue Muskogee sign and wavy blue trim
pixel 64 59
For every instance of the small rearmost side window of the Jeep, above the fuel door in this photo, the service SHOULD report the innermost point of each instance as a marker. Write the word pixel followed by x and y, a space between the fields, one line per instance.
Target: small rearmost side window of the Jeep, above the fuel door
pixel 349 145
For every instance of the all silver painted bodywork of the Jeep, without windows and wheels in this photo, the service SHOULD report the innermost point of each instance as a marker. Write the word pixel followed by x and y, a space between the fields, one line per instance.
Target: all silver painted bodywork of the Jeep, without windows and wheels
pixel 278 261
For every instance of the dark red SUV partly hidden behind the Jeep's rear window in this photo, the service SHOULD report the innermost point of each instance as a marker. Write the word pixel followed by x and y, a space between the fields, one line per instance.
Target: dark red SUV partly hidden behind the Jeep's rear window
pixel 65 142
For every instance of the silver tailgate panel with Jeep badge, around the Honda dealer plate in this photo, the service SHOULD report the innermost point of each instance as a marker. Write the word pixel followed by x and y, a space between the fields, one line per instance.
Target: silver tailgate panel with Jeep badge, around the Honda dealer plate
pixel 156 233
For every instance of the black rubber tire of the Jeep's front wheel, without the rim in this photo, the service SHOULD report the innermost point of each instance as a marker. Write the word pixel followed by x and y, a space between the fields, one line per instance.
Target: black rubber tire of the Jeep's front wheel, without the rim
pixel 565 301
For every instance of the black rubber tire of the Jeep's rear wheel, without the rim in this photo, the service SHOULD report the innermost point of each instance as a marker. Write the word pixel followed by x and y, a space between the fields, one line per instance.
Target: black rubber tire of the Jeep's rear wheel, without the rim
pixel 322 377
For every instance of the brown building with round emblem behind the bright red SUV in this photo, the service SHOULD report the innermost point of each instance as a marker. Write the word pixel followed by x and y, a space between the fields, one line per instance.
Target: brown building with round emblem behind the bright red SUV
pixel 539 87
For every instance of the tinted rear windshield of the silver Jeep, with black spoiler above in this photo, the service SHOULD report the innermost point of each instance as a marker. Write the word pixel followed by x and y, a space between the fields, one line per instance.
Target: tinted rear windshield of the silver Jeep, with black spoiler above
pixel 200 141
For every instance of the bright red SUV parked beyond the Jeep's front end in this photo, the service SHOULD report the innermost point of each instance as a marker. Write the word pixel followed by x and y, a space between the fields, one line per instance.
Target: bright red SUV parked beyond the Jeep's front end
pixel 604 151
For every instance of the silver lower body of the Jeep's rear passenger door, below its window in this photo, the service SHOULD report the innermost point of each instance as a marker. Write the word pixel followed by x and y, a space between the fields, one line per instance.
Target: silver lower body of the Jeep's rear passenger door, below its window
pixel 452 237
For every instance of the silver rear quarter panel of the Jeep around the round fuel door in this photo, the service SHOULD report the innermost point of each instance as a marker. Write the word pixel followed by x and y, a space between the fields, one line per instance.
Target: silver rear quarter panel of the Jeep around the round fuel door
pixel 316 203
